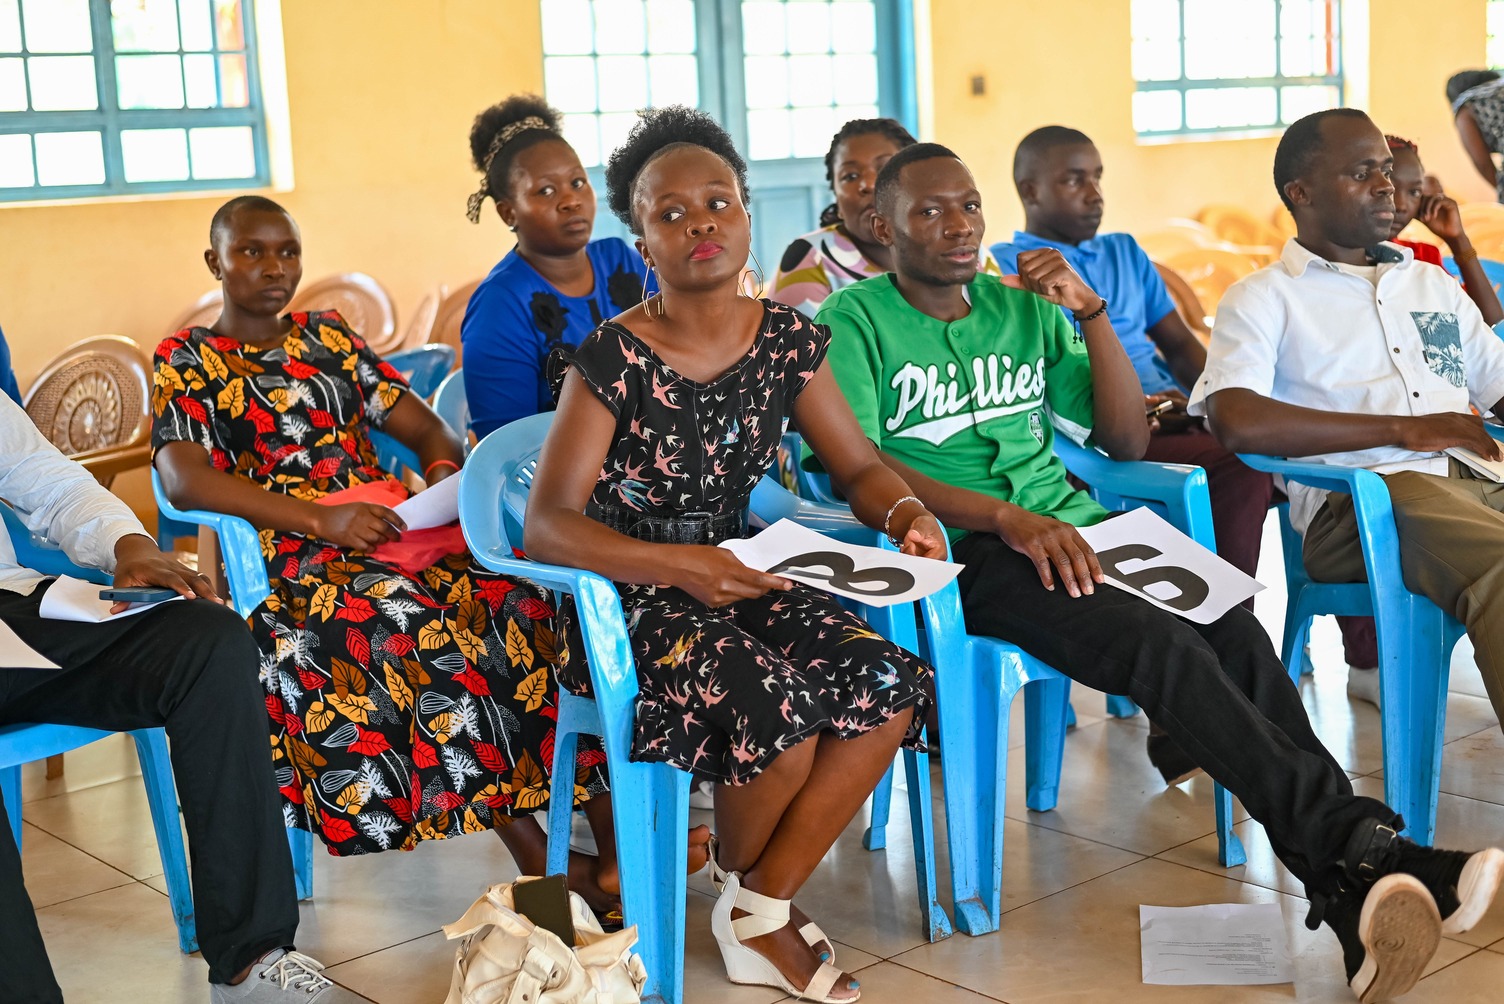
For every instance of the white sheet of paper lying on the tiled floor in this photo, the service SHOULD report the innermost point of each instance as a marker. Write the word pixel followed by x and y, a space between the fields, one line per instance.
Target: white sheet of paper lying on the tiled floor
pixel 1219 945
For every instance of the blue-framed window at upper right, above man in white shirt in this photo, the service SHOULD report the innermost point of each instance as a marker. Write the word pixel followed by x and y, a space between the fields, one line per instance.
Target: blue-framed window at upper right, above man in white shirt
pixel 1211 67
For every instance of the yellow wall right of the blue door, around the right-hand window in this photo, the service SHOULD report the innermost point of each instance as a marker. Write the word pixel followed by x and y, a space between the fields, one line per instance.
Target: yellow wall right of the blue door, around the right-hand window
pixel 1069 62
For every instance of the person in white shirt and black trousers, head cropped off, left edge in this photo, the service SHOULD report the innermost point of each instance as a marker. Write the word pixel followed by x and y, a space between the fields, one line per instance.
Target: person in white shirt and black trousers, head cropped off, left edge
pixel 187 667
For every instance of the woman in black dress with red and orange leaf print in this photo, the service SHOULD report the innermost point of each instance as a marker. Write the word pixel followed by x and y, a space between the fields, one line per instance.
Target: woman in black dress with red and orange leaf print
pixel 410 695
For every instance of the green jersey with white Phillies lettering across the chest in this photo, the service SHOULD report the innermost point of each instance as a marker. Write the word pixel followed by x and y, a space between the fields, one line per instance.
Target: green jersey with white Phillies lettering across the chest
pixel 975 402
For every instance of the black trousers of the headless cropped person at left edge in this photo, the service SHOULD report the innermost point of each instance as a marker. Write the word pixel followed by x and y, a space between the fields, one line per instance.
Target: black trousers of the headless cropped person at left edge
pixel 192 668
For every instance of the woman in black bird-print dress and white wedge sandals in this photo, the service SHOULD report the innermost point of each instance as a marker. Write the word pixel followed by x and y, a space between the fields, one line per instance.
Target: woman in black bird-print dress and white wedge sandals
pixel 669 419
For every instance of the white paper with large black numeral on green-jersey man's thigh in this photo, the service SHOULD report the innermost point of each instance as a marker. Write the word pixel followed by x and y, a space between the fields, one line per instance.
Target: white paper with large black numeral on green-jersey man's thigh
pixel 1147 557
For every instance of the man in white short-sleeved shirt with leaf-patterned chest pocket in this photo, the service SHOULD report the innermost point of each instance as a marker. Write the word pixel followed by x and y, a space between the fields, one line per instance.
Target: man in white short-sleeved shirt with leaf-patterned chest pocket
pixel 1350 352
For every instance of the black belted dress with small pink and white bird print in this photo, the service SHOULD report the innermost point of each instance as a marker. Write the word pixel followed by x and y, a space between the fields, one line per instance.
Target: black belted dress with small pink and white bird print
pixel 724 691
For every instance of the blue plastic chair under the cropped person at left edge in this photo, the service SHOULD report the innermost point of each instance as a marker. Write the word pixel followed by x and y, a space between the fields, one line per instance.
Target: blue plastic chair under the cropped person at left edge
pixel 25 743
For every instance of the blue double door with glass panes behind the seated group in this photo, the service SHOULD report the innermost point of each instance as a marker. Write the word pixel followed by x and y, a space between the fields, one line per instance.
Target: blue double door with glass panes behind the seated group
pixel 783 76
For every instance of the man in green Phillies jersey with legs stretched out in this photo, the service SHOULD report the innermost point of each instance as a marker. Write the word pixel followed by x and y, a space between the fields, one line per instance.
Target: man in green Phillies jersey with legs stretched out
pixel 957 380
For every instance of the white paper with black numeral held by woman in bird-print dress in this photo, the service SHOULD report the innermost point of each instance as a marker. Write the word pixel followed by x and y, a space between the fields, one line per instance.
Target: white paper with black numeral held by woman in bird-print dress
pixel 872 575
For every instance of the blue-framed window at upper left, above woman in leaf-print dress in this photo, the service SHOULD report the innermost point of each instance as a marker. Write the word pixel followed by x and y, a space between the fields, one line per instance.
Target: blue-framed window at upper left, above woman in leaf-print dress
pixel 129 97
